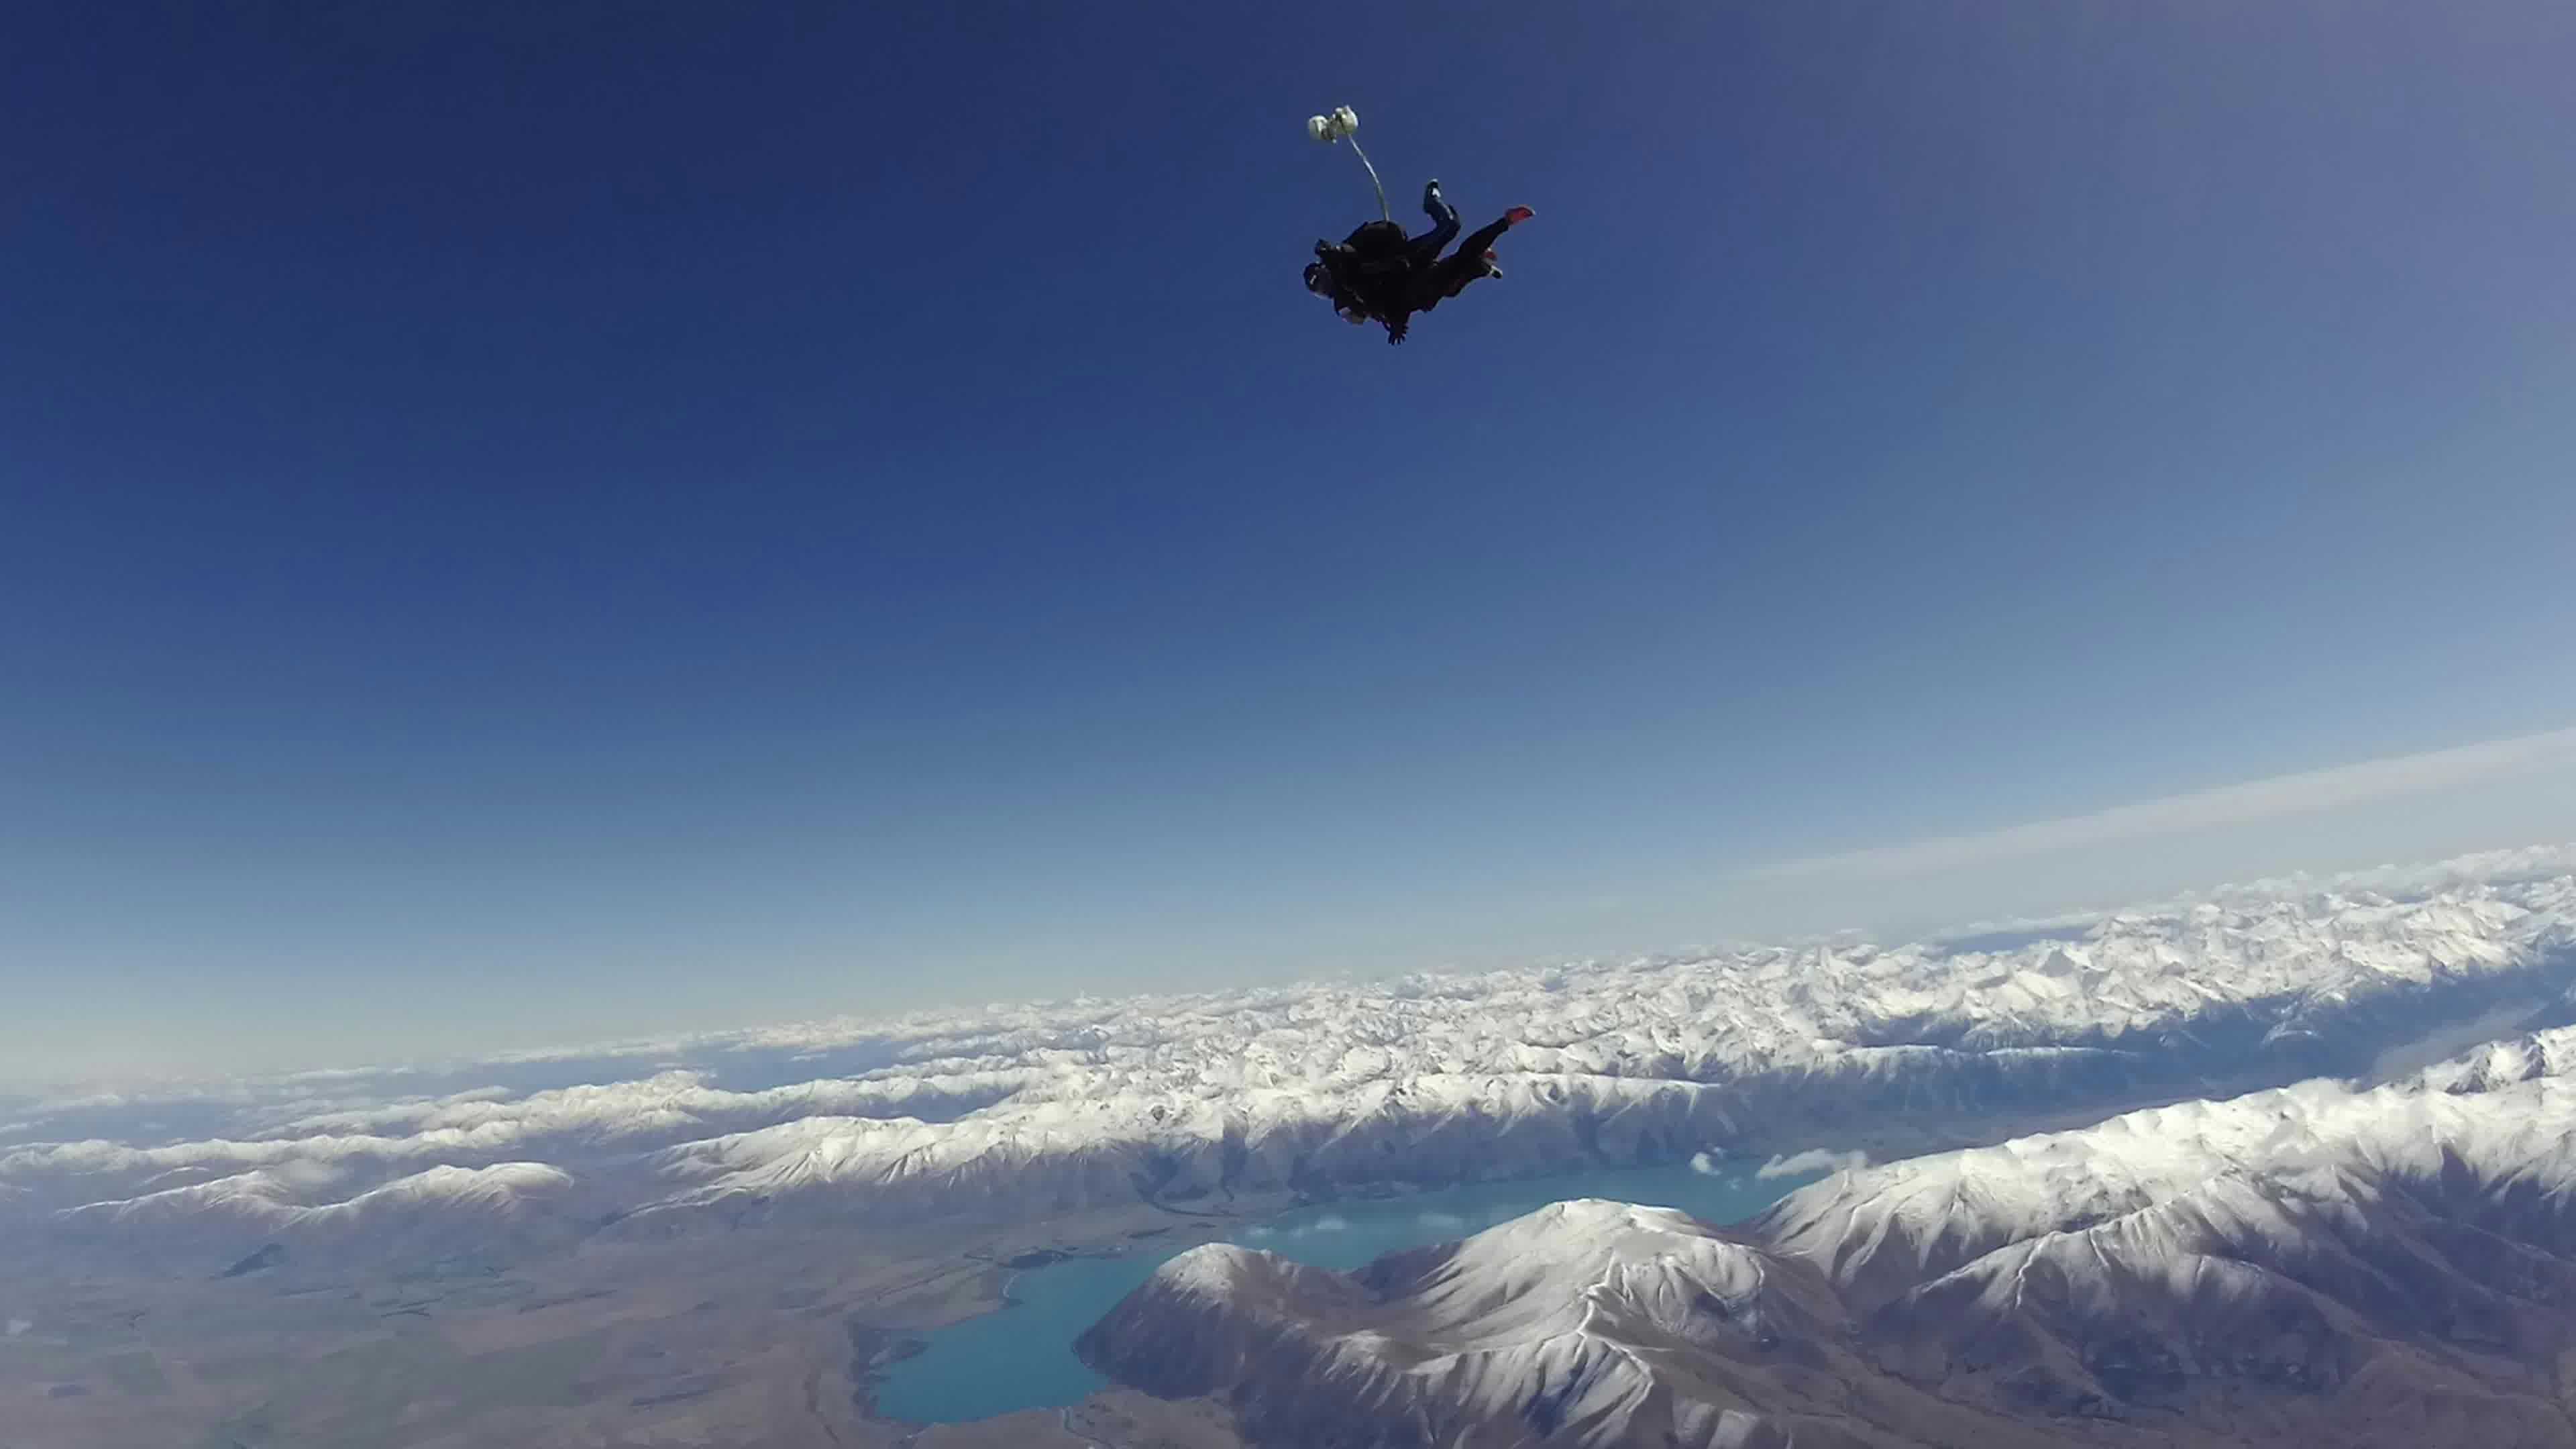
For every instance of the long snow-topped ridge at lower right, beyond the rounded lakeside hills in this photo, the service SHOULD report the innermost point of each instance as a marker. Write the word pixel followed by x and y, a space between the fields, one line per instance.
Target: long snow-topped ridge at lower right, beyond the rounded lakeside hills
pixel 2400 1254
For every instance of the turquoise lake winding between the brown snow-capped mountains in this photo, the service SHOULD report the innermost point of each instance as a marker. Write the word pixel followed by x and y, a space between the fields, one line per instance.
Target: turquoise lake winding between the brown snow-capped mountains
pixel 1024 1355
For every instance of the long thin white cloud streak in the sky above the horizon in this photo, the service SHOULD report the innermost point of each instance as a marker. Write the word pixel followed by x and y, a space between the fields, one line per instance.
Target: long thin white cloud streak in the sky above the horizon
pixel 2201 811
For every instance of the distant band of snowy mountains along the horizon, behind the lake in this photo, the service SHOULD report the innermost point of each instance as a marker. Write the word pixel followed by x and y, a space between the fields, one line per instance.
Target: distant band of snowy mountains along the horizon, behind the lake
pixel 1189 1102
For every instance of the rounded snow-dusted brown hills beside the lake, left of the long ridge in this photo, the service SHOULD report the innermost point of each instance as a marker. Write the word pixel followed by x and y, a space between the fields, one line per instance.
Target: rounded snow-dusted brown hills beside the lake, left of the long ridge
pixel 1583 1324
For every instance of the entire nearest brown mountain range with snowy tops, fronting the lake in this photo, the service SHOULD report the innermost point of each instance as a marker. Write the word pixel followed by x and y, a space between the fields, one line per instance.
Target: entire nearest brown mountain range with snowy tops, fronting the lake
pixel 2317 1265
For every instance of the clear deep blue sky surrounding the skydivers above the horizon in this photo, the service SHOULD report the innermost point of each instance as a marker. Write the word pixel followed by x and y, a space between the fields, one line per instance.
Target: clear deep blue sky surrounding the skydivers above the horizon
pixel 540 522
